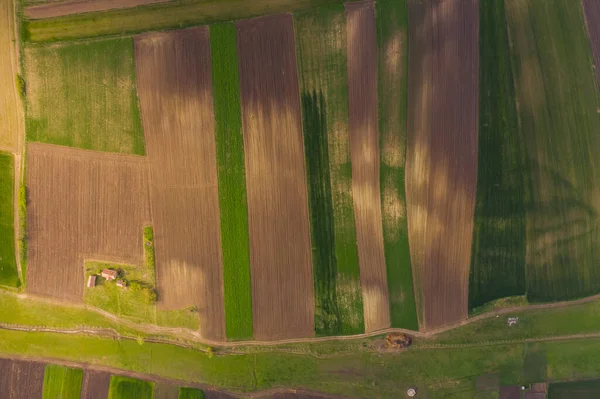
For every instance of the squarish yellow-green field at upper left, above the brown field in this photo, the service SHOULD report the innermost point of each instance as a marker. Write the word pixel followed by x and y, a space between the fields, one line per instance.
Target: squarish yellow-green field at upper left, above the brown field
pixel 84 95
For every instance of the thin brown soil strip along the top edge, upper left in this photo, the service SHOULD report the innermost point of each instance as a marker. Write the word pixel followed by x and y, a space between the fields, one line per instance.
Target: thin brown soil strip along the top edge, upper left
pixel 56 9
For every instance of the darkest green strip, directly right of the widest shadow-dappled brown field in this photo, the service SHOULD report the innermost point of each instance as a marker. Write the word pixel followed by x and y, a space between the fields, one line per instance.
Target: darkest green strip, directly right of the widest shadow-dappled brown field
pixel 499 240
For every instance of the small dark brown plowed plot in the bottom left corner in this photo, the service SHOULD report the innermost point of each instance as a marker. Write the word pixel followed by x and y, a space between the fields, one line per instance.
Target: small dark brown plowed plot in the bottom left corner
pixel 21 379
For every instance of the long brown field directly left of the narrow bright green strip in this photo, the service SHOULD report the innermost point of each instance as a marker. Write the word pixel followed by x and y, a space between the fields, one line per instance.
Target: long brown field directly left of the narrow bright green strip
pixel 175 89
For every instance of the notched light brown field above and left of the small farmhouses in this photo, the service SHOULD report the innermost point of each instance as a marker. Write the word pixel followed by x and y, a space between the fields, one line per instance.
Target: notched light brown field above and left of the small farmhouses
pixel 81 205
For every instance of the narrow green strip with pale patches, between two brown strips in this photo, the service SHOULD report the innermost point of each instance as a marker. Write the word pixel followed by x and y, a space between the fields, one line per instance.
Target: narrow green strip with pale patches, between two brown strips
pixel 392 67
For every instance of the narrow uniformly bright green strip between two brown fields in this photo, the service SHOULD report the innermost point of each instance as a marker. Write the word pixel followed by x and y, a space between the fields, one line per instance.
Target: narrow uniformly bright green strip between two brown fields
pixel 232 182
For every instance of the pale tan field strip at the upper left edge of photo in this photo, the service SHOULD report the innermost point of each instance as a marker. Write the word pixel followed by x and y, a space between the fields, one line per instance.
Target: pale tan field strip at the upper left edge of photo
pixel 11 126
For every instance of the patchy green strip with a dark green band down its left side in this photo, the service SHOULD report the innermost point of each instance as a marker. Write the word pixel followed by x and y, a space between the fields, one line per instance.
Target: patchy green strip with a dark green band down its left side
pixel 321 58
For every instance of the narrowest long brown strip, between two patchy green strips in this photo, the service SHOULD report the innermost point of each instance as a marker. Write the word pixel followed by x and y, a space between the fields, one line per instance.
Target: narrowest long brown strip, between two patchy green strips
pixel 364 150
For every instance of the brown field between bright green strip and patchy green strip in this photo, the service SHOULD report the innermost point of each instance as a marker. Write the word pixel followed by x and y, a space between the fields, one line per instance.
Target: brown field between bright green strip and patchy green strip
pixel 280 251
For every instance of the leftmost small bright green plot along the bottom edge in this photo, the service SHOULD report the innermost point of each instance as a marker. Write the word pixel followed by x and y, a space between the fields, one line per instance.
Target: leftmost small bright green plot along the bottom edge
pixel 62 382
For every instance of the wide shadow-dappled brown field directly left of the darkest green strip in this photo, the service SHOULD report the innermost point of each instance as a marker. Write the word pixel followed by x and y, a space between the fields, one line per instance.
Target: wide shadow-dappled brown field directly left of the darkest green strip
pixel 441 167
